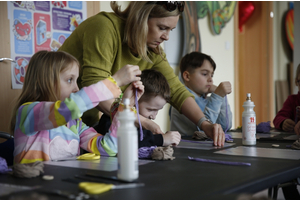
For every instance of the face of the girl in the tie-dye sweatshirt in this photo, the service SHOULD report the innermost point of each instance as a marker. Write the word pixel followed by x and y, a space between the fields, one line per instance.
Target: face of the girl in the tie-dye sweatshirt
pixel 68 81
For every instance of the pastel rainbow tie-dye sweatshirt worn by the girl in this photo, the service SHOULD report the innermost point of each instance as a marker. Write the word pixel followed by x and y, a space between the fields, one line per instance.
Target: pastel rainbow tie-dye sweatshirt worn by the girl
pixel 54 130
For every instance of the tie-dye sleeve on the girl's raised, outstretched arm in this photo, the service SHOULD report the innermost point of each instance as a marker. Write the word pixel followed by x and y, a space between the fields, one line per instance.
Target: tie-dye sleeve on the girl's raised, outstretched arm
pixel 37 116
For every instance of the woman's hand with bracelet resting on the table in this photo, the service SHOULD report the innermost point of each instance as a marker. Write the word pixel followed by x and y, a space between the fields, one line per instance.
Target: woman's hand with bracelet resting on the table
pixel 215 132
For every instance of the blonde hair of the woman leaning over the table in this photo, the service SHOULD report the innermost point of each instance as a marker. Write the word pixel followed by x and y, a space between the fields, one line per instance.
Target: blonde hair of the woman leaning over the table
pixel 136 17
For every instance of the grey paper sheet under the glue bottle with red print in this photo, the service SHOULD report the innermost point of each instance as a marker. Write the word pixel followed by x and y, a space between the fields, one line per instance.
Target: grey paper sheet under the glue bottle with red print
pixel 261 152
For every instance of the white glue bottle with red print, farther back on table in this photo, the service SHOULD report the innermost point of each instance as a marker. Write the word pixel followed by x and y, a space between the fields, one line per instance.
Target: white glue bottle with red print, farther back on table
pixel 249 122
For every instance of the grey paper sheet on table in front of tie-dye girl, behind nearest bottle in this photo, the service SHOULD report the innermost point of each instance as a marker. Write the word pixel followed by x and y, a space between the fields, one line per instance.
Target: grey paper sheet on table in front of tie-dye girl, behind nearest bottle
pixel 104 163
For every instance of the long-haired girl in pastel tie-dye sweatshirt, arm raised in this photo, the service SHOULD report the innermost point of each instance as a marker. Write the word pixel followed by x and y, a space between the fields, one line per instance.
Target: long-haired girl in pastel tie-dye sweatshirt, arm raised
pixel 46 122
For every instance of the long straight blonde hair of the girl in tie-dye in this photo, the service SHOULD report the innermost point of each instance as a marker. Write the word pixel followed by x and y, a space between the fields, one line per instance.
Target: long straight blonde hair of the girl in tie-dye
pixel 42 82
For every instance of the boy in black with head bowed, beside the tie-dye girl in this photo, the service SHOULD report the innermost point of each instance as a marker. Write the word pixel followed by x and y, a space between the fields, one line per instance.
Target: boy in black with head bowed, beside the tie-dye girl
pixel 156 95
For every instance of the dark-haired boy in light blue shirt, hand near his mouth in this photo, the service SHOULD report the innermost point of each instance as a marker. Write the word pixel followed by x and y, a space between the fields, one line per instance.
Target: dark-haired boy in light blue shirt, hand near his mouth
pixel 197 70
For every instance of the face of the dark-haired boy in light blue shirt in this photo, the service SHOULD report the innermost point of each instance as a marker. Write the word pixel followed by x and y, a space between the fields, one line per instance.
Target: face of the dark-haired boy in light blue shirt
pixel 200 80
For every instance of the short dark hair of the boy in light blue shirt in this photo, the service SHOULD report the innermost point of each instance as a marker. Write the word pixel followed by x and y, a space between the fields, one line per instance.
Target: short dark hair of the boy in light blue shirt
pixel 194 60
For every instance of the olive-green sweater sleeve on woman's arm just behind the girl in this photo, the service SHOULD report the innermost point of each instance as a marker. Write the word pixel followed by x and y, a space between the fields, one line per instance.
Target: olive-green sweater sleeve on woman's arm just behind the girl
pixel 95 44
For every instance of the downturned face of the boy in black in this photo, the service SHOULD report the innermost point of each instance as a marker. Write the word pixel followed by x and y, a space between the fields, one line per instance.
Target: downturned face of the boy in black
pixel 149 107
